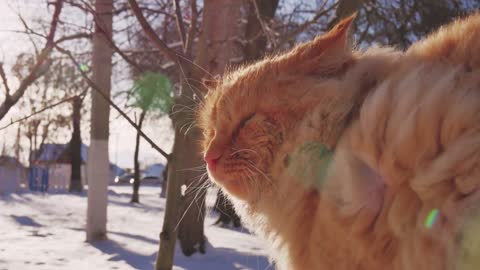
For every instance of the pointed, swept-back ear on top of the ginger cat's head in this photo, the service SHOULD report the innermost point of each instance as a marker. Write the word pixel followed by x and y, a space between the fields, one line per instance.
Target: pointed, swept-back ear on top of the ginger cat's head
pixel 328 54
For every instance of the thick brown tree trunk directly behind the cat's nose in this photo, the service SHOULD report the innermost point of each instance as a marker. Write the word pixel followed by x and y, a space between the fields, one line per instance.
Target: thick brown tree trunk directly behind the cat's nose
pixel 183 218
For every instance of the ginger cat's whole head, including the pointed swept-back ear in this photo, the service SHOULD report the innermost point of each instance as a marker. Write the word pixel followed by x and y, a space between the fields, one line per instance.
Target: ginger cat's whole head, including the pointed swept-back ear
pixel 250 112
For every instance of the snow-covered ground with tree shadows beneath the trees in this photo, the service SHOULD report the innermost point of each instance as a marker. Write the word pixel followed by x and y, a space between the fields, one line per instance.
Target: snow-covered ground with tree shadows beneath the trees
pixel 46 231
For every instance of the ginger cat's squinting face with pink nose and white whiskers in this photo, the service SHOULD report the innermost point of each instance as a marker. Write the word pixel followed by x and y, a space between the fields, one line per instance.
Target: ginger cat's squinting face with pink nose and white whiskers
pixel 242 132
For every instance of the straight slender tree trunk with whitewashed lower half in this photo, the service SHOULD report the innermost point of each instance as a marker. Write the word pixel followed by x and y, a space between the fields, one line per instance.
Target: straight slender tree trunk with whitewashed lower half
pixel 98 172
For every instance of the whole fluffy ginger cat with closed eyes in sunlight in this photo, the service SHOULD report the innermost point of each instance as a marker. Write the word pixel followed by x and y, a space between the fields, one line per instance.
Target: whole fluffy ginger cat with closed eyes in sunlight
pixel 345 159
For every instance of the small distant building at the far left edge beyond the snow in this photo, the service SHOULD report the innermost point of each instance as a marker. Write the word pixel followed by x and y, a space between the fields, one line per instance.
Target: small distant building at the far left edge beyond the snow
pixel 12 174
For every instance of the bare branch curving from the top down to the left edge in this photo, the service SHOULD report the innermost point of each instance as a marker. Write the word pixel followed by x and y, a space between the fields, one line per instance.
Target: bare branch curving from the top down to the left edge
pixel 36 70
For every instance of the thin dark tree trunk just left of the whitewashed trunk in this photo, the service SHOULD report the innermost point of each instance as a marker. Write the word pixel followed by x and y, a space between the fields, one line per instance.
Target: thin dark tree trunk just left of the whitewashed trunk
pixel 76 148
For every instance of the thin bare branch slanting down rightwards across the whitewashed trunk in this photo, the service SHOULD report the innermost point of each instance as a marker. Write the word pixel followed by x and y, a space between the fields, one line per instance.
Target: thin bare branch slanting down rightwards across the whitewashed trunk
pixel 120 111
